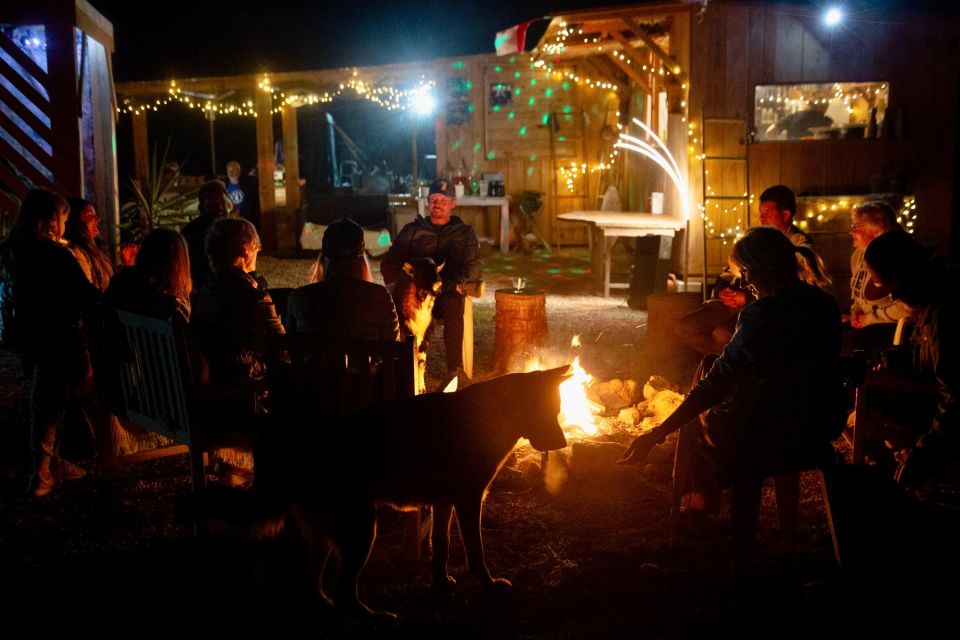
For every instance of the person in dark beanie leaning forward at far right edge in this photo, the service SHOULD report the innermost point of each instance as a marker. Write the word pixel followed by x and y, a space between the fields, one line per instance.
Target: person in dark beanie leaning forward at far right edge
pixel 932 291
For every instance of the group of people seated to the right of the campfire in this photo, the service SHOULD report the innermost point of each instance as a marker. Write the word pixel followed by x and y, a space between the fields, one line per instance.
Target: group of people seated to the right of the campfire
pixel 768 399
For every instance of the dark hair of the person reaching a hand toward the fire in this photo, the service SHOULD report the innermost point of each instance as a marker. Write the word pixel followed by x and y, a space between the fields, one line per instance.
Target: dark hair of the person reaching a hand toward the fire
pixel 771 261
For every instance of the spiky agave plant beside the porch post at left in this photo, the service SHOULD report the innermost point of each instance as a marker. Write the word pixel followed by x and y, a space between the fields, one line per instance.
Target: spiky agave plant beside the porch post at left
pixel 158 202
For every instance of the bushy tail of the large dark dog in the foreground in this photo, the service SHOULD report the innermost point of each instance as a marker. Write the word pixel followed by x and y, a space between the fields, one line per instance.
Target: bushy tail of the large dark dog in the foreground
pixel 263 514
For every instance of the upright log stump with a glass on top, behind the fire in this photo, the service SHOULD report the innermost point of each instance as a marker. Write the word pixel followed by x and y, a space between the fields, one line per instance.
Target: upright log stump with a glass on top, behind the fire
pixel 521 323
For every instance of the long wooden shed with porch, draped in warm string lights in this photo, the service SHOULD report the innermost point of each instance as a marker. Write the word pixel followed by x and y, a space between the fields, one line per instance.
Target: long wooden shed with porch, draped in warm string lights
pixel 712 79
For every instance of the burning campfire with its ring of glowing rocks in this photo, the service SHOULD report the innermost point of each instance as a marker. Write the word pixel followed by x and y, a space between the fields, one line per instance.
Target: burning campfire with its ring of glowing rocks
pixel 599 419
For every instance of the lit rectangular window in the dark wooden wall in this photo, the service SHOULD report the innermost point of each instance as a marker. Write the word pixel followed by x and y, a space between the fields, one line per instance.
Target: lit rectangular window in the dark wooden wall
pixel 820 111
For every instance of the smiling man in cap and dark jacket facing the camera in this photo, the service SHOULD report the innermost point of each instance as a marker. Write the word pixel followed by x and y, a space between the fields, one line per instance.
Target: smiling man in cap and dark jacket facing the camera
pixel 448 240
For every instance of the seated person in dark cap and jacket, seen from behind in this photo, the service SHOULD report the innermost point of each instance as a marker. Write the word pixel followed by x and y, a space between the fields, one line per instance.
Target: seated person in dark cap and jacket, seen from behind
pixel 343 301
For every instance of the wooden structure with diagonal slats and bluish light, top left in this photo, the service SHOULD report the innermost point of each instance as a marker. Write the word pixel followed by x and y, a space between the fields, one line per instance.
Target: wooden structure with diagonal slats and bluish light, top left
pixel 57 121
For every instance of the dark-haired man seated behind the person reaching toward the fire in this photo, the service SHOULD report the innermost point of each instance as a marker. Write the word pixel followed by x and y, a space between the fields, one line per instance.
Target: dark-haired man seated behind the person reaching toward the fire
pixel 710 327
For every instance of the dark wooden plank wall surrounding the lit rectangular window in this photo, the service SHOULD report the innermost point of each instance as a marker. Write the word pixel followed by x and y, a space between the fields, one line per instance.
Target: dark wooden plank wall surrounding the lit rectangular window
pixel 736 46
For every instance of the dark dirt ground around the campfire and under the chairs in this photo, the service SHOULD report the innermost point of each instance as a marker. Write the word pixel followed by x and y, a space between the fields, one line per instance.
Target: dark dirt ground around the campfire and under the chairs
pixel 107 556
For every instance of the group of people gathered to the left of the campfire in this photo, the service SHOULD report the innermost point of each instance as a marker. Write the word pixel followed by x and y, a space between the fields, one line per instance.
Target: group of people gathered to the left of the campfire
pixel 60 288
